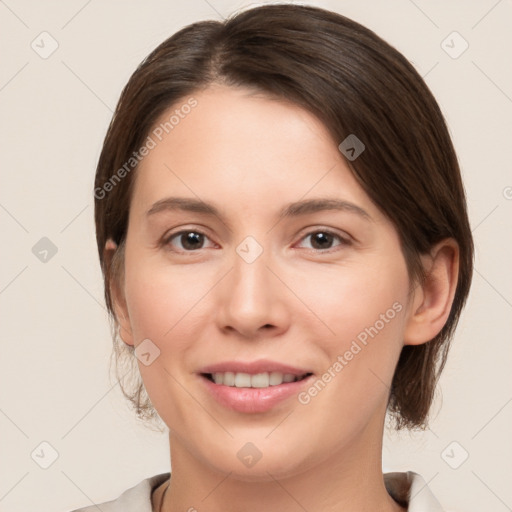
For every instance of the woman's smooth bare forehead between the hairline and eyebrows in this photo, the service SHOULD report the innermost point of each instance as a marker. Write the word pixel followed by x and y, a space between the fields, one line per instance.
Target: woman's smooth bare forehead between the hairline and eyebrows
pixel 237 143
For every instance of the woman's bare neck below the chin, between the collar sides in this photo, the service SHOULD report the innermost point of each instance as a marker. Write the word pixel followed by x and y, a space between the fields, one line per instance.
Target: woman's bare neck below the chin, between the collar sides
pixel 350 479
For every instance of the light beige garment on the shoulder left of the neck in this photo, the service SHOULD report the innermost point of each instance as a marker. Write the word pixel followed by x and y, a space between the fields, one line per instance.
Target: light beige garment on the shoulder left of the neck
pixel 134 499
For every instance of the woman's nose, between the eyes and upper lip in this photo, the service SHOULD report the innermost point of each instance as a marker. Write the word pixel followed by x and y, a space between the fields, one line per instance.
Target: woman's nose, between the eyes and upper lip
pixel 252 300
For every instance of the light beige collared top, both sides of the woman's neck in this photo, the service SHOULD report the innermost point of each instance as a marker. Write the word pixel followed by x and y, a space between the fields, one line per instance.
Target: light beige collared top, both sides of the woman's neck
pixel 409 487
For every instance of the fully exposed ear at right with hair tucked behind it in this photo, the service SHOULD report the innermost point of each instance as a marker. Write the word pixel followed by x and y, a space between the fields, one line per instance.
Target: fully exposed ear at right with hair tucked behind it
pixel 433 298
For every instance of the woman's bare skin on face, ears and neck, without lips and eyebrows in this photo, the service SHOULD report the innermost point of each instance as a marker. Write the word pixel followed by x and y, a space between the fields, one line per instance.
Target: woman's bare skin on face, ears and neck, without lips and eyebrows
pixel 250 156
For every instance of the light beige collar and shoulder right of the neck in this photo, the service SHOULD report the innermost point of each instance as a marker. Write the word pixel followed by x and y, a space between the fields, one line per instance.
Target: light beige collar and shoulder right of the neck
pixel 411 489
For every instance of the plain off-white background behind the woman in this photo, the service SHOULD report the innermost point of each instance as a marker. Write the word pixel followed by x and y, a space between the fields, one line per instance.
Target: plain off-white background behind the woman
pixel 55 341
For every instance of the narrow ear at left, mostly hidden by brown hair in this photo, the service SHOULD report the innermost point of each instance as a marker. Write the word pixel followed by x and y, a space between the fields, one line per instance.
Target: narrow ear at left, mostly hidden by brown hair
pixel 117 293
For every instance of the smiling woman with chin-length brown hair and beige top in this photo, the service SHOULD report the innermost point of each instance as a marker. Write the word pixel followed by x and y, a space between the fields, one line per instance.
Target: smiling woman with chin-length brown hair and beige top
pixel 283 233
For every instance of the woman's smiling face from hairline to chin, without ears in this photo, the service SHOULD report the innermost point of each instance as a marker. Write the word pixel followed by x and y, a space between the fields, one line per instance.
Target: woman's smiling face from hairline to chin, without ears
pixel 272 284
